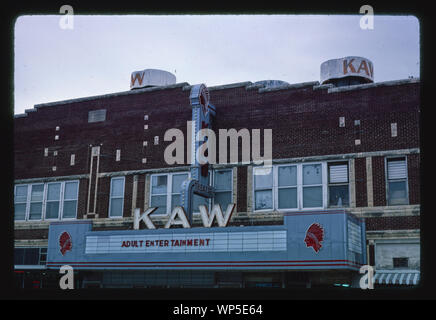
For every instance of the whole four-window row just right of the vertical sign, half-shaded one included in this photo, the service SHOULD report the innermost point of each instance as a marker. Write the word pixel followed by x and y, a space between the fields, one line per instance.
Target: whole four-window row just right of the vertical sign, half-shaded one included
pixel 301 186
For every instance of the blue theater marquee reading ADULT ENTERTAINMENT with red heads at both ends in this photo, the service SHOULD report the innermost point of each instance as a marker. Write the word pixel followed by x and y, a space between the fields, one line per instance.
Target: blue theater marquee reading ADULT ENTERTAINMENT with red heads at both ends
pixel 297 244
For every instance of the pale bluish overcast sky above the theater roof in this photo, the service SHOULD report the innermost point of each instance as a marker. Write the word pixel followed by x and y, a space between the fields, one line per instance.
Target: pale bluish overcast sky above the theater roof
pixel 98 55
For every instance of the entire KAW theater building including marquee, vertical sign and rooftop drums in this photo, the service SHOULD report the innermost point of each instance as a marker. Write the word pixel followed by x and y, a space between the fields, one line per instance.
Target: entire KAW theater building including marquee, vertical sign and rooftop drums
pixel 94 189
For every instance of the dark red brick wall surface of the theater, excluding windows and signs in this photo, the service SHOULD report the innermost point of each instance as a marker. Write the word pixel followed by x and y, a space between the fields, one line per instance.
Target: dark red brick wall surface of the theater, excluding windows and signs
pixel 304 120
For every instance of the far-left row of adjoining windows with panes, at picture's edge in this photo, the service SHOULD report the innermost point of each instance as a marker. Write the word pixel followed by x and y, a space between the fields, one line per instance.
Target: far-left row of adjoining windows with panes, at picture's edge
pixel 46 201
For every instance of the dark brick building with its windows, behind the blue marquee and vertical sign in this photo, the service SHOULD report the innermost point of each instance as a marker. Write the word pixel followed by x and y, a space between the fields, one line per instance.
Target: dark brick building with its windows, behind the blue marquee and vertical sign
pixel 97 159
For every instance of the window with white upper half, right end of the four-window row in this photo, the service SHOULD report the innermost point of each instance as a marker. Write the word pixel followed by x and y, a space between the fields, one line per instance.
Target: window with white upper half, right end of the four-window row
pixel 338 188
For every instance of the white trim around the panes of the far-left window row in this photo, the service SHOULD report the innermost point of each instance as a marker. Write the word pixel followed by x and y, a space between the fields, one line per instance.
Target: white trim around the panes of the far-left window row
pixel 44 200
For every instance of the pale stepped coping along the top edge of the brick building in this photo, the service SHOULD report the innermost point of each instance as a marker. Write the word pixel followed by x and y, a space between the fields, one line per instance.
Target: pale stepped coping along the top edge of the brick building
pixel 247 84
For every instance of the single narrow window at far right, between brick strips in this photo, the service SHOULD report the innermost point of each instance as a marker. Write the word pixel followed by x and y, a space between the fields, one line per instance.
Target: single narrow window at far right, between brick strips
pixel 397 181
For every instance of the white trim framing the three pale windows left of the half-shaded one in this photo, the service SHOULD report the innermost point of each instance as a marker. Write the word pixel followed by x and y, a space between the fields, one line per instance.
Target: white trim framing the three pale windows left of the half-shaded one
pixel 300 186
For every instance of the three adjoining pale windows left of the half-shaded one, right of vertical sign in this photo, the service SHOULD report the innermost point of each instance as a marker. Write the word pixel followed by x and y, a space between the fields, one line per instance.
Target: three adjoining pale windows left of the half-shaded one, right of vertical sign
pixel 287 187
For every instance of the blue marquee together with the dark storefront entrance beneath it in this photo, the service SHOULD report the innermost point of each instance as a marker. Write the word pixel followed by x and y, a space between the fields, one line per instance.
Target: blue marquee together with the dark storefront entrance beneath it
pixel 308 242
